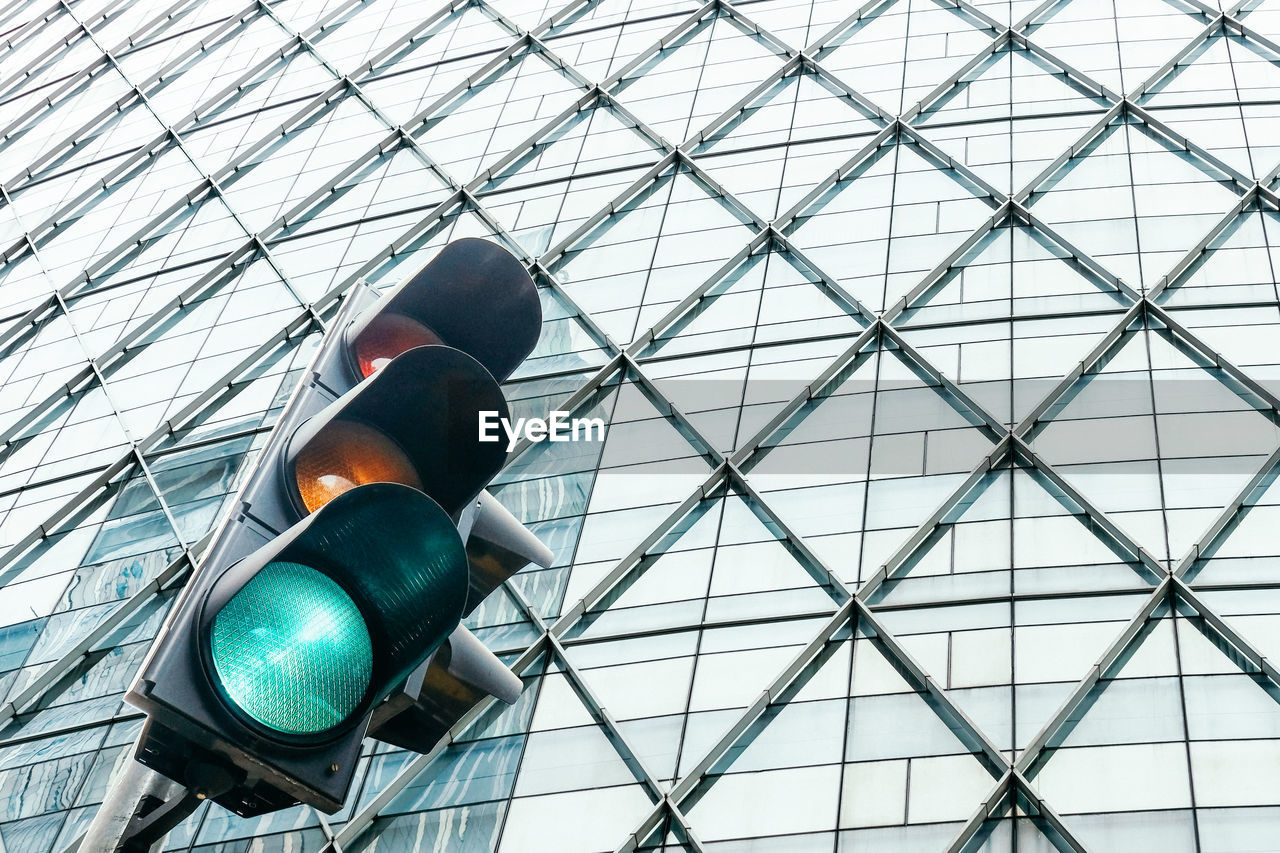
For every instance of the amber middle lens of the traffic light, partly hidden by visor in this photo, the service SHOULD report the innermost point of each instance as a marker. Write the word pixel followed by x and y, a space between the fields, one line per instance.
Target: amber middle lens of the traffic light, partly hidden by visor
pixel 345 455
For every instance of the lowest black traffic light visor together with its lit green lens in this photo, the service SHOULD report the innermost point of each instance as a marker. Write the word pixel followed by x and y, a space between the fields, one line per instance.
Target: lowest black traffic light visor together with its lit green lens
pixel 305 636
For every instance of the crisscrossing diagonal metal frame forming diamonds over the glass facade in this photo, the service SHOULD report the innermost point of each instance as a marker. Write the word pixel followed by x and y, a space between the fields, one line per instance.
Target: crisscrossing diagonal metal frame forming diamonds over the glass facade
pixel 879 332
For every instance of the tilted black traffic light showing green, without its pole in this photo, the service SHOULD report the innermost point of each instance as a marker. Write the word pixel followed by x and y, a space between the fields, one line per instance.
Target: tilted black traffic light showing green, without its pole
pixel 330 604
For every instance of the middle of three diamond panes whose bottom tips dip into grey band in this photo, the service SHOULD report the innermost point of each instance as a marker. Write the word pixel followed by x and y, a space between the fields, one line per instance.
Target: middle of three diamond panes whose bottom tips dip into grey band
pixel 994 323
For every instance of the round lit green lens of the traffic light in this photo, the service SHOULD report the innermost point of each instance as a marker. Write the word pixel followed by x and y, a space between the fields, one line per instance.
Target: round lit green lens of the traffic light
pixel 292 650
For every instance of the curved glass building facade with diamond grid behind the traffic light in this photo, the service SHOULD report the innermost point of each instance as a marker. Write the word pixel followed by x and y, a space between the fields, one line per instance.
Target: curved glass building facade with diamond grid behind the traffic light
pixel 936 341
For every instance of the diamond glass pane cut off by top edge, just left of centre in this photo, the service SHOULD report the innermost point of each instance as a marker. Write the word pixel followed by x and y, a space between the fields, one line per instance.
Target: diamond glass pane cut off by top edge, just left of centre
pixel 600 39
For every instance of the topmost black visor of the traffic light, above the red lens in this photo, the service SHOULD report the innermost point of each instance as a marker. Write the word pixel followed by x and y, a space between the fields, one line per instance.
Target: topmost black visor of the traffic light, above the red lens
pixel 477 298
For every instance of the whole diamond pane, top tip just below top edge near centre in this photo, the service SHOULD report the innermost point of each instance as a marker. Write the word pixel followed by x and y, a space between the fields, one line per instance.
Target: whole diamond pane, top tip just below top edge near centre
pixel 720 56
